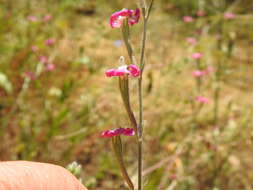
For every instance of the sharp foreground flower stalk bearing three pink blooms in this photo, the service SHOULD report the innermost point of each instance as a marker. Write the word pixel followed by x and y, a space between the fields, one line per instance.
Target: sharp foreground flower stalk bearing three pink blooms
pixel 124 19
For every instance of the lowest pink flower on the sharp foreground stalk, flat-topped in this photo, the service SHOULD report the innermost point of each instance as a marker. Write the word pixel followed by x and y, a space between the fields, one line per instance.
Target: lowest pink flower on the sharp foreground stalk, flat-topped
pixel 118 131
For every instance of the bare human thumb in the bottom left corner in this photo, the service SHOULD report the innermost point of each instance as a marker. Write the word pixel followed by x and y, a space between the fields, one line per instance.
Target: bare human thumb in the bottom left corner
pixel 24 175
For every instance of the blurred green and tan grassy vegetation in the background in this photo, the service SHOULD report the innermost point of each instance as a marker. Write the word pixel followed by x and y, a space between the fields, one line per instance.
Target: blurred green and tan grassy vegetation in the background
pixel 57 115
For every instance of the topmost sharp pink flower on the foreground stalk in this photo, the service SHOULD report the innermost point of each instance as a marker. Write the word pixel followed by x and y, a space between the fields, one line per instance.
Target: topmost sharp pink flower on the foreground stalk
pixel 117 18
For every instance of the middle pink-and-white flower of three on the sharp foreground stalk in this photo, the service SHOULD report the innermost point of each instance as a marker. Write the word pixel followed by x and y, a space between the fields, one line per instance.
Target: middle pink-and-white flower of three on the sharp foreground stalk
pixel 131 70
